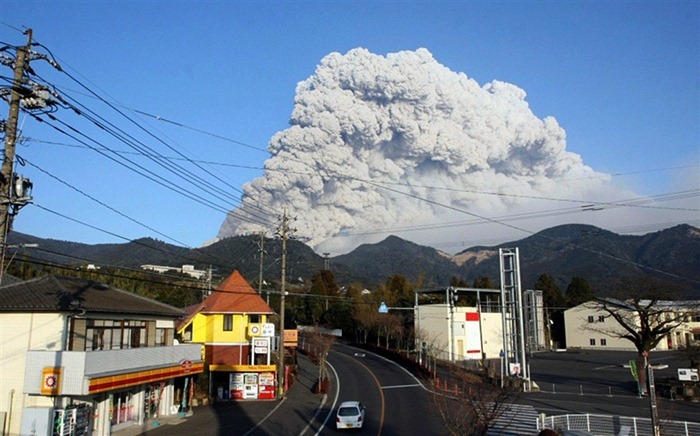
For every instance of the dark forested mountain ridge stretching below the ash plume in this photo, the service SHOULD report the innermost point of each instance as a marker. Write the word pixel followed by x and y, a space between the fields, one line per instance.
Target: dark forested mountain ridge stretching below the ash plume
pixel 565 251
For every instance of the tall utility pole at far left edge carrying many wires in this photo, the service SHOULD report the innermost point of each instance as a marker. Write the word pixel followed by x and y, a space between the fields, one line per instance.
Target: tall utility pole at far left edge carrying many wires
pixel 7 179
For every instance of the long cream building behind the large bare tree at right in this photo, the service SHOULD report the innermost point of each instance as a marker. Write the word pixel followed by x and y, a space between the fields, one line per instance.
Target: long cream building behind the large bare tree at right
pixel 588 327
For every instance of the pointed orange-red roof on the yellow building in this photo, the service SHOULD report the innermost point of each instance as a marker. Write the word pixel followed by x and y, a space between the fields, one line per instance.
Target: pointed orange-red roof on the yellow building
pixel 235 295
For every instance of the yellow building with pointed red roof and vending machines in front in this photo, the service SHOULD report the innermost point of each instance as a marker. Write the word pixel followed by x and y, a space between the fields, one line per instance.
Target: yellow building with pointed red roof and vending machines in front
pixel 232 324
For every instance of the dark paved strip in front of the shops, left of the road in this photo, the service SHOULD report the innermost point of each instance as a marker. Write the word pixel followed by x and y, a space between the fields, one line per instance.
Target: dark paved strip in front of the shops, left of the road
pixel 296 410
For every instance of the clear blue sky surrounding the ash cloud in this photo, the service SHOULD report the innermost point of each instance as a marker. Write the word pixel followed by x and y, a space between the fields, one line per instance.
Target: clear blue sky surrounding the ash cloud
pixel 622 79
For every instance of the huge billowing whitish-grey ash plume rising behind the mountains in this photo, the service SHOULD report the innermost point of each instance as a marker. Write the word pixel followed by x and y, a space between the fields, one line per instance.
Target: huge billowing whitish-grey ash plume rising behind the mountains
pixel 378 144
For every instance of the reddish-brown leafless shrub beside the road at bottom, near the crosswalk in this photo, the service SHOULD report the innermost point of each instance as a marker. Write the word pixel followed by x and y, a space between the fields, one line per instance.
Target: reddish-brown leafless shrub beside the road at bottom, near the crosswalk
pixel 471 403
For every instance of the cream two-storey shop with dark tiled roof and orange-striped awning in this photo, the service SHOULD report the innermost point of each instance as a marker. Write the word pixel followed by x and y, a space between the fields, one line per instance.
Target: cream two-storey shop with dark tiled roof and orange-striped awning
pixel 82 357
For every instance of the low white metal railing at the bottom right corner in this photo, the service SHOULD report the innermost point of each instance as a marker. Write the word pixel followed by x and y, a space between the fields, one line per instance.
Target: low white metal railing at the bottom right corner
pixel 607 425
